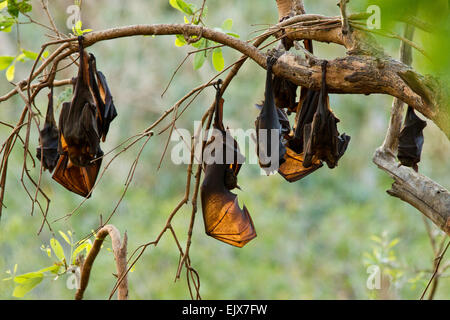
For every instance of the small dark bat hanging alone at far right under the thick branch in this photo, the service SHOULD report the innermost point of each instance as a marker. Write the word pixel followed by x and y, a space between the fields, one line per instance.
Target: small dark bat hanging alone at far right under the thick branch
pixel 411 140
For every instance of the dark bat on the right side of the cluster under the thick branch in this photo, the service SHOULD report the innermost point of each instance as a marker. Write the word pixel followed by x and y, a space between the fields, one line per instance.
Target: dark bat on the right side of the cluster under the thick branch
pixel 321 137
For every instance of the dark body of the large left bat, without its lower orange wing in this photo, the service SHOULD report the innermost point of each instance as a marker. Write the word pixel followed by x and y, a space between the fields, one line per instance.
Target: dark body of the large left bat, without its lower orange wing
pixel 78 122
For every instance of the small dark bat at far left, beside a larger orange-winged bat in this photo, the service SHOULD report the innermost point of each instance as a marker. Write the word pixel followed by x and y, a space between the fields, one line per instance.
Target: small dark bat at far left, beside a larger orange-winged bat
pixel 48 140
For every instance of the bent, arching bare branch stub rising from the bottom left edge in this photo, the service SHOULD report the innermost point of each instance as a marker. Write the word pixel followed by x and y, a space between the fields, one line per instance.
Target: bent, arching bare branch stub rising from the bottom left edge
pixel 120 255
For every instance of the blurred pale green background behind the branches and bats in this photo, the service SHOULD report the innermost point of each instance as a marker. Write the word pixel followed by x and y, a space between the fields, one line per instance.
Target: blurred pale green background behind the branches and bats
pixel 316 237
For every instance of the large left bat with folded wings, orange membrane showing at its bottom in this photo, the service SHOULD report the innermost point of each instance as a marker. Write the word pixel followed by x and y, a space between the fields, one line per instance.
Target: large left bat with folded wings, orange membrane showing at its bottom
pixel 81 124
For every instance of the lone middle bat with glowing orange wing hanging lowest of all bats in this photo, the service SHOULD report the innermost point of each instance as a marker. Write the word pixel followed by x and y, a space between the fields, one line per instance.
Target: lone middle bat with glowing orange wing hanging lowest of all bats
pixel 224 219
